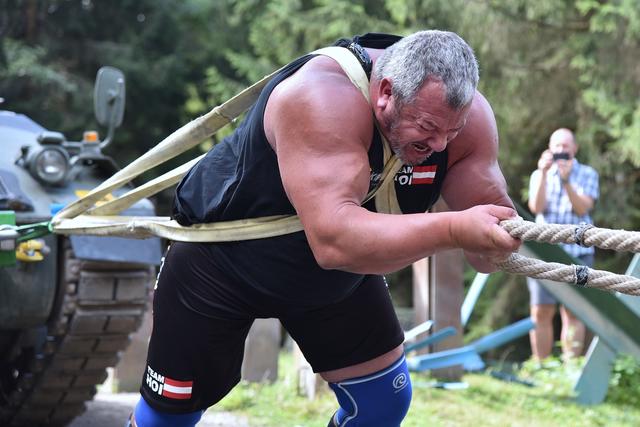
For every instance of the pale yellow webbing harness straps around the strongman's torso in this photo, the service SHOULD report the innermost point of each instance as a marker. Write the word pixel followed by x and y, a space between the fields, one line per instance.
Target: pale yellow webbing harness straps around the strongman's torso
pixel 81 217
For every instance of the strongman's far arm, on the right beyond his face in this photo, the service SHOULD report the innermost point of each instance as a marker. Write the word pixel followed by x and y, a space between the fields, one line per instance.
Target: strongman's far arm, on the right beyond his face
pixel 474 176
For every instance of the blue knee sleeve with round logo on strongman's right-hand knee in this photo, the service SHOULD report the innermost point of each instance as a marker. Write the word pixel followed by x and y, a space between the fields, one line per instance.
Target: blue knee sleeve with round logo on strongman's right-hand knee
pixel 379 399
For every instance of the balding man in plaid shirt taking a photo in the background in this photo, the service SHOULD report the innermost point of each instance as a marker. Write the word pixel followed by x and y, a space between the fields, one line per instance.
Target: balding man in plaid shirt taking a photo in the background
pixel 561 191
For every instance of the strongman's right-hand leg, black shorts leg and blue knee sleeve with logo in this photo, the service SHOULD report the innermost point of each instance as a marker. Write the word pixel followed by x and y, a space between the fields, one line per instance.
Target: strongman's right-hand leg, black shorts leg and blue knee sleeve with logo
pixel 356 345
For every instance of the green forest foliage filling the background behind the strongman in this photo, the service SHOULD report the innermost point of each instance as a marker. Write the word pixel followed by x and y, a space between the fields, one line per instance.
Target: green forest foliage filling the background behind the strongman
pixel 544 65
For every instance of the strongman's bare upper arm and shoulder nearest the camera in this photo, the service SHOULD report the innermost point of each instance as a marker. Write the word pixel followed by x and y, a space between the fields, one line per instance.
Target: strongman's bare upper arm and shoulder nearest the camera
pixel 321 146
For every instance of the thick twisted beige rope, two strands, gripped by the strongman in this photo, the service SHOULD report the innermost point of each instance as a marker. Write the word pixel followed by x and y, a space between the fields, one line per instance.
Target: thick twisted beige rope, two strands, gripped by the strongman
pixel 580 275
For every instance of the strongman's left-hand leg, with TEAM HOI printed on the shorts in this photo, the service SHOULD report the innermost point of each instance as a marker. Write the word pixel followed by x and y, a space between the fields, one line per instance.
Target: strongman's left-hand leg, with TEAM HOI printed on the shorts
pixel 197 344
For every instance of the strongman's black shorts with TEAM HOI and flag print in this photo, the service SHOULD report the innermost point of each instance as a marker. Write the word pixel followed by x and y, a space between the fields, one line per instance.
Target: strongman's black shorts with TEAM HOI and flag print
pixel 201 319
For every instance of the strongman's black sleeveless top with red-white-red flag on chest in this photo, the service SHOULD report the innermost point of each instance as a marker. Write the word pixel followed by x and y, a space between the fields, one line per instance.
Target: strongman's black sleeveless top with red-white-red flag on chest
pixel 239 178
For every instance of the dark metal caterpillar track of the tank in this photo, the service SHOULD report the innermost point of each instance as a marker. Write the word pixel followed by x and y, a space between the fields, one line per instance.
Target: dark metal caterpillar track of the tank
pixel 100 305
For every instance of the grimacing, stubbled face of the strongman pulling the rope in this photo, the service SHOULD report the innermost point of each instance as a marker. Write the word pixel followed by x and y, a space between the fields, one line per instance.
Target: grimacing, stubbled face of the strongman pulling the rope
pixel 425 126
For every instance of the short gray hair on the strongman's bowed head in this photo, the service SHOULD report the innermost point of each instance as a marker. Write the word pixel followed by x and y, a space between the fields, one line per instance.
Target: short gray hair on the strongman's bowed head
pixel 439 55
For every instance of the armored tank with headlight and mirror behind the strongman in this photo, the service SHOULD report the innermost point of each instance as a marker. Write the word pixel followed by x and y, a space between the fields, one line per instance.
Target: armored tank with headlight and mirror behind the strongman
pixel 68 305
